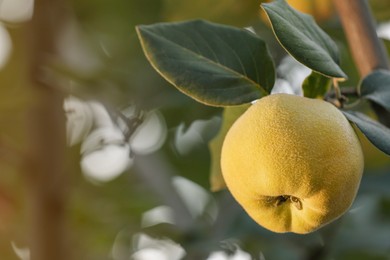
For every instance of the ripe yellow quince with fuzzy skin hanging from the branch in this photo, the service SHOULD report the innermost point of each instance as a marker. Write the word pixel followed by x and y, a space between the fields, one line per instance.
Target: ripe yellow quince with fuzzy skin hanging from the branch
pixel 293 163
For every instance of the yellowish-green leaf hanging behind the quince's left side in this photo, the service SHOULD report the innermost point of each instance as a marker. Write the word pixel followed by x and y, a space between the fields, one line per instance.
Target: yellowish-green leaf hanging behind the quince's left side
pixel 229 116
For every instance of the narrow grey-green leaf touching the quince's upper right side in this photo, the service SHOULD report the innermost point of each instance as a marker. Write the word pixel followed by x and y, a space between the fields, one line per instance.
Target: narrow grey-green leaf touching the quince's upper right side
pixel 378 134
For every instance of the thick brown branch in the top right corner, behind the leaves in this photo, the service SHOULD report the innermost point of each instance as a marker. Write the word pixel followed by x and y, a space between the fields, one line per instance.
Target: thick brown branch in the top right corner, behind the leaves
pixel 367 50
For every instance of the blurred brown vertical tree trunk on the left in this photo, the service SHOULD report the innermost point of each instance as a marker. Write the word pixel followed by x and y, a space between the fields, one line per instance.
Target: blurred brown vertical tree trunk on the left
pixel 45 167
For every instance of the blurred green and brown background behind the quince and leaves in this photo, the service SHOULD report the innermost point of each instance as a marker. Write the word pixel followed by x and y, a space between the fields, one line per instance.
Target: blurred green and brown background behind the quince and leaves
pixel 131 179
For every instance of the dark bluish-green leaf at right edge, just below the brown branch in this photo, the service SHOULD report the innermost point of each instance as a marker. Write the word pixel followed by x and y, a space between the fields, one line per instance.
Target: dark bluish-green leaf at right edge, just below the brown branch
pixel 376 87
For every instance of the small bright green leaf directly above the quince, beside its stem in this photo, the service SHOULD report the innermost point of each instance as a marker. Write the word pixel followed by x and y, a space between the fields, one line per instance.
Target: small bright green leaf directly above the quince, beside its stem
pixel 316 85
